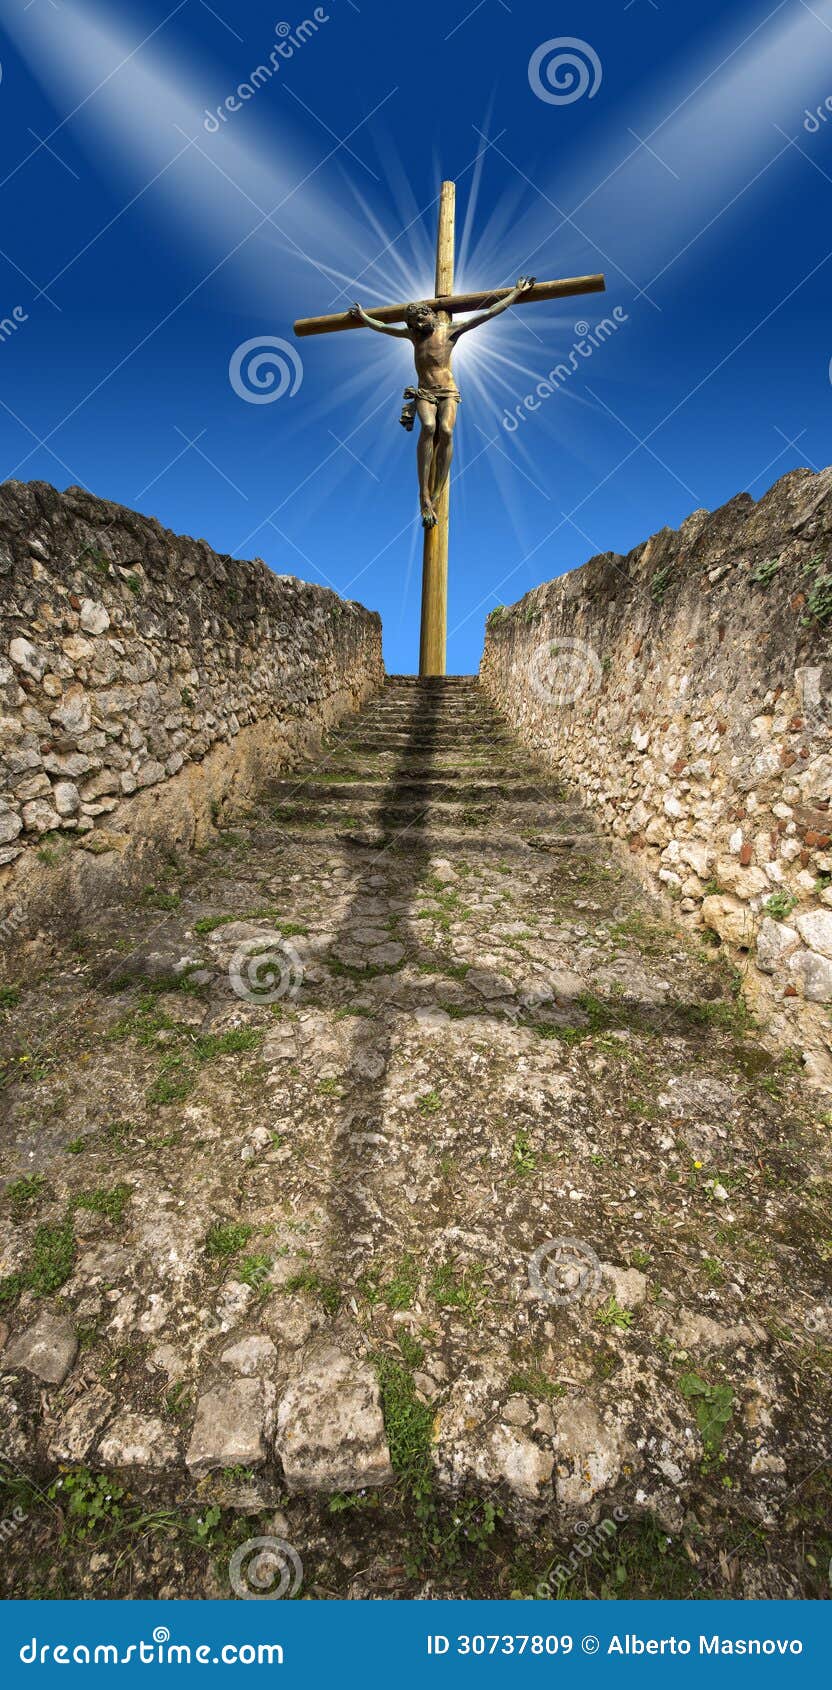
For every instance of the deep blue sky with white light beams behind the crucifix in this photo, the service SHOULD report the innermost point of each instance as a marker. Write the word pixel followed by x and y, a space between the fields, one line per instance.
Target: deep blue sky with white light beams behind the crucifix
pixel 145 243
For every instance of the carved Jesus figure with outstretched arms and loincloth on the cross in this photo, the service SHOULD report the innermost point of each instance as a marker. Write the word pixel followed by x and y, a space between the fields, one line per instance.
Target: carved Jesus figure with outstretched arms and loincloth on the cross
pixel 435 400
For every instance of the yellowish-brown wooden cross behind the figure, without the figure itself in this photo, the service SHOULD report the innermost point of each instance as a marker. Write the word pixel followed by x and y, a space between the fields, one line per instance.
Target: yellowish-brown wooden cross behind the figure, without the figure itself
pixel 435 555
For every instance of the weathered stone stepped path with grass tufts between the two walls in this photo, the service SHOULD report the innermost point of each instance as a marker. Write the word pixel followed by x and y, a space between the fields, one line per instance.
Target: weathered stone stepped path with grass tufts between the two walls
pixel 327 1091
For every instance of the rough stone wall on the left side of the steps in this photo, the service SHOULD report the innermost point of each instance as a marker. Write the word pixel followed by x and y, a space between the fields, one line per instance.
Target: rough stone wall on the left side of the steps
pixel 146 687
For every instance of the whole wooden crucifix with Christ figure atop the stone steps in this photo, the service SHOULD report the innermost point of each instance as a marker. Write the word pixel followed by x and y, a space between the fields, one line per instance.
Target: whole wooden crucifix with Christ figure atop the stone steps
pixel 430 329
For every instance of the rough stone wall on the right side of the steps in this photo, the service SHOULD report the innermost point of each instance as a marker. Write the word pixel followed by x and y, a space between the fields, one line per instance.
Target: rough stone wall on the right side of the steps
pixel 684 694
